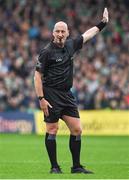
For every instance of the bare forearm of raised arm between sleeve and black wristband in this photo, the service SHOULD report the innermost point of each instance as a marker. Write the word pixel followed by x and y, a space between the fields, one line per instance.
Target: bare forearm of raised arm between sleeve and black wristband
pixel 90 33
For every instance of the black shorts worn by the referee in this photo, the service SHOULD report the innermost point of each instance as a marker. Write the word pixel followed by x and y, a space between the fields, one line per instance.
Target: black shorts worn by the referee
pixel 63 103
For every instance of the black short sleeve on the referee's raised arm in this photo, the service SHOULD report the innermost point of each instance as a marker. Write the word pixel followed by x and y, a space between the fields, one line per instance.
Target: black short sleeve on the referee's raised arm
pixel 77 43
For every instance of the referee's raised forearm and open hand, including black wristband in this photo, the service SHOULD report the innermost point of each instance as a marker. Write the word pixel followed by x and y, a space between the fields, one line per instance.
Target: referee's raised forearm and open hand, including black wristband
pixel 96 29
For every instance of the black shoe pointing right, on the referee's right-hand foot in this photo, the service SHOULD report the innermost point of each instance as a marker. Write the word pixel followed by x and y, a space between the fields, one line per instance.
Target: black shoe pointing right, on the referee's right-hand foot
pixel 80 169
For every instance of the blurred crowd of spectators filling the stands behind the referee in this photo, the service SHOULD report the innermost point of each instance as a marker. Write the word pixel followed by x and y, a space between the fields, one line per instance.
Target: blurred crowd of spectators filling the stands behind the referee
pixel 101 68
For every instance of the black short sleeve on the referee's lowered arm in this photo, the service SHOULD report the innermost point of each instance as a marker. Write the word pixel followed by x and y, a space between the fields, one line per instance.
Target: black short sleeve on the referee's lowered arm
pixel 42 60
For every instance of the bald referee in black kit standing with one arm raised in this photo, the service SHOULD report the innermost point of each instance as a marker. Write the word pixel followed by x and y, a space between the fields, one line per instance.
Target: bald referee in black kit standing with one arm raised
pixel 53 80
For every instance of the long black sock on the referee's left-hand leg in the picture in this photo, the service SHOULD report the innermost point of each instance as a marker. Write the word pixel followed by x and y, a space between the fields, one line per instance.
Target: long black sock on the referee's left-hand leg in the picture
pixel 50 142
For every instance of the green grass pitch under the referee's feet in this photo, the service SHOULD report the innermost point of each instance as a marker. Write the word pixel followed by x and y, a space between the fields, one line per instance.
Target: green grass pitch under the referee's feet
pixel 25 157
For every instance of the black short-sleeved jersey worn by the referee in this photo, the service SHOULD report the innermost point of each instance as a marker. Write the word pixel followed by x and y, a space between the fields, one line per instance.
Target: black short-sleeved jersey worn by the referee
pixel 56 64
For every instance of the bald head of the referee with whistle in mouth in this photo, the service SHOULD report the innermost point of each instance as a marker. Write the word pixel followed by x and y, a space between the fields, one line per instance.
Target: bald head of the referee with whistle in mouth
pixel 60 33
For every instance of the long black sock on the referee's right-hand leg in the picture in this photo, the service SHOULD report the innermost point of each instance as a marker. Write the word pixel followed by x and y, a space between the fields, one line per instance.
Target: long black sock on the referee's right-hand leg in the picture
pixel 75 148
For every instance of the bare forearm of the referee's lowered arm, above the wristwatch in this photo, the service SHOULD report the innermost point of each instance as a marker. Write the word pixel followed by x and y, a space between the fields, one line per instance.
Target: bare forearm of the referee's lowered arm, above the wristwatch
pixel 38 84
